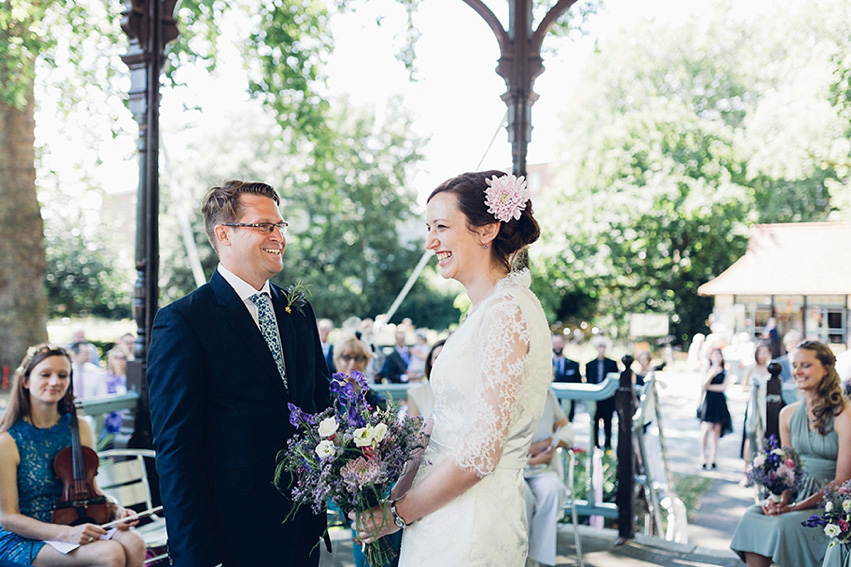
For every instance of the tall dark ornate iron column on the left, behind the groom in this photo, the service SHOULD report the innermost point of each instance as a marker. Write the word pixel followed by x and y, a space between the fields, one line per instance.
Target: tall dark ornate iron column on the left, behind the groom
pixel 150 26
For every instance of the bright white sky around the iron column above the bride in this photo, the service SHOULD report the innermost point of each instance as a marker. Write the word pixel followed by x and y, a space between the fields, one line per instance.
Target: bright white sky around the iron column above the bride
pixel 457 101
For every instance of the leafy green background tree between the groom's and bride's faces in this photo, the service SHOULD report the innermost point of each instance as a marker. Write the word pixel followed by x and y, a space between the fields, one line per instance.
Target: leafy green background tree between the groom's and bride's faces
pixel 347 212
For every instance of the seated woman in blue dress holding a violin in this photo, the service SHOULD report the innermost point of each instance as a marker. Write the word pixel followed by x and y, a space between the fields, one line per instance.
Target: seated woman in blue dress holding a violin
pixel 36 428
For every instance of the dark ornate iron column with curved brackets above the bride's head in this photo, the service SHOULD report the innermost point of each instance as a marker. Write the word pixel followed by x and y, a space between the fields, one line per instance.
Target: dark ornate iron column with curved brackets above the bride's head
pixel 520 63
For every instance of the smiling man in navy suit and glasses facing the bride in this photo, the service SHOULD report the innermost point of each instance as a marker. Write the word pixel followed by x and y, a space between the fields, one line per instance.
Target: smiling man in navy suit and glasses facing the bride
pixel 224 362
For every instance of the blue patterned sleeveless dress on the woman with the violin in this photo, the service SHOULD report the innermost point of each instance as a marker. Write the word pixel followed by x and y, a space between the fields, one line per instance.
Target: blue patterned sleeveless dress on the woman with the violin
pixel 38 485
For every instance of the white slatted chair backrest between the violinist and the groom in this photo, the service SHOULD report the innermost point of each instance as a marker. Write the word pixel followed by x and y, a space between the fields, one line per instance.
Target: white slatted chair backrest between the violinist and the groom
pixel 123 476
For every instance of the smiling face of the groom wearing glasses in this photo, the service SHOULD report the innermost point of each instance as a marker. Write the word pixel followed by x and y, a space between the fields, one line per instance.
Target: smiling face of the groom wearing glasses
pixel 248 252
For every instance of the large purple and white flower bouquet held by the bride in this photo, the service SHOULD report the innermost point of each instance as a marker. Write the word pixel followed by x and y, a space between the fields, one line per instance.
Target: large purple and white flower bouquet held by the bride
pixel 351 453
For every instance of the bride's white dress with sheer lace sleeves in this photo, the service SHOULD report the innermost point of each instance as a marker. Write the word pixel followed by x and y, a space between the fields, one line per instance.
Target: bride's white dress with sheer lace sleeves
pixel 488 399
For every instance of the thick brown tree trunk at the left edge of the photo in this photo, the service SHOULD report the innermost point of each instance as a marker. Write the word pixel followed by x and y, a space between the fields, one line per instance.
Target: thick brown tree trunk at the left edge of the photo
pixel 23 300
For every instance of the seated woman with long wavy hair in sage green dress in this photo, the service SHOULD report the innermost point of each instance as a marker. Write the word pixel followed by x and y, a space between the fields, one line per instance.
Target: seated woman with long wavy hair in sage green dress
pixel 819 428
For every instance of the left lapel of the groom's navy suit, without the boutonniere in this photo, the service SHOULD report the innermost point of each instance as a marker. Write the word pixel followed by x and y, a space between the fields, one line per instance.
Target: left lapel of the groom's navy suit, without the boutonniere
pixel 233 310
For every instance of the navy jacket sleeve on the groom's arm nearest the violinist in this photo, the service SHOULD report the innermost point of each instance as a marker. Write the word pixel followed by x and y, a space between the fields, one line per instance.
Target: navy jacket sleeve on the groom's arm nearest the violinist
pixel 175 379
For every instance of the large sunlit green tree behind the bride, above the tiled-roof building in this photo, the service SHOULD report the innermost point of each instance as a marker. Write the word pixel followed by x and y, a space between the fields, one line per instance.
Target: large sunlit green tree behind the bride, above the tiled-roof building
pixel 669 162
